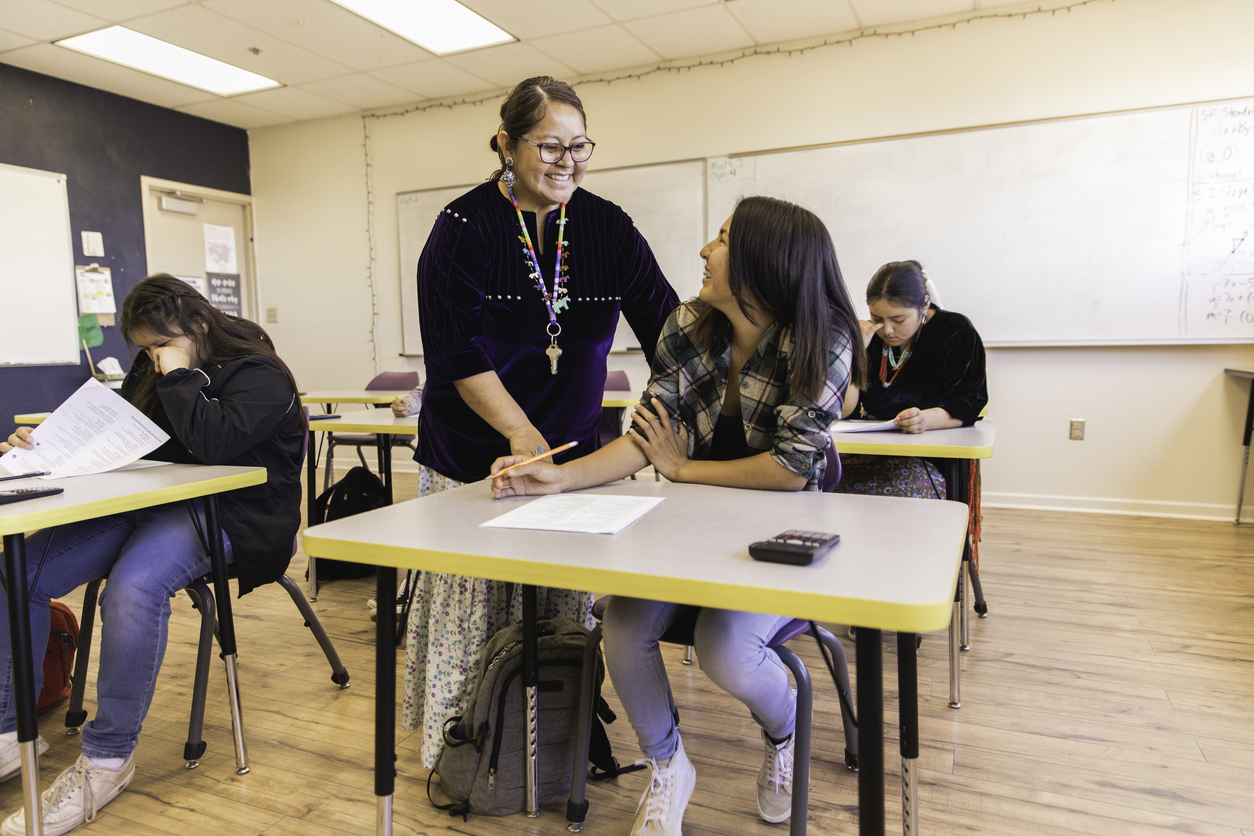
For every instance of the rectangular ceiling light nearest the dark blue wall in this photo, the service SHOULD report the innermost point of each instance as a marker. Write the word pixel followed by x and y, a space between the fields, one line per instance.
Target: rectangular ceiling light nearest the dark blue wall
pixel 129 48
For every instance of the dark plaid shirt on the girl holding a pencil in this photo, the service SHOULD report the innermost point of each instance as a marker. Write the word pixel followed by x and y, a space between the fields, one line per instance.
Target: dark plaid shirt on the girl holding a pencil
pixel 690 383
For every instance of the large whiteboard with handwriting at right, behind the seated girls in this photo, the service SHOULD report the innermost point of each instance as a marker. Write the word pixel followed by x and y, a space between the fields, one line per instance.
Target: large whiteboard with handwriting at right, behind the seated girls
pixel 1122 229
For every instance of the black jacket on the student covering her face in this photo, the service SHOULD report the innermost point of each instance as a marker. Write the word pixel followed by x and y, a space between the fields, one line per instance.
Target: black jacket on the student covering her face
pixel 241 412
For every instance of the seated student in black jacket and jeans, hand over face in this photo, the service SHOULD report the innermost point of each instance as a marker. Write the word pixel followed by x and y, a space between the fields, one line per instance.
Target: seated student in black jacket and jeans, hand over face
pixel 216 387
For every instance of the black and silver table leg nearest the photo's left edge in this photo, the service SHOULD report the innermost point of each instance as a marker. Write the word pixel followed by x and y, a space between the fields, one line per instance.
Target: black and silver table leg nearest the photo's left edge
pixel 24 680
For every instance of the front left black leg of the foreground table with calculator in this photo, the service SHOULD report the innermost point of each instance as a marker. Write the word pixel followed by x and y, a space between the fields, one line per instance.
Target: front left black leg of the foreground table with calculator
pixel 386 701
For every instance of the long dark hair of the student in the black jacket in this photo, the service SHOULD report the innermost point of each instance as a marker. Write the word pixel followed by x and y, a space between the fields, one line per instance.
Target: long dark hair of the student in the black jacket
pixel 167 306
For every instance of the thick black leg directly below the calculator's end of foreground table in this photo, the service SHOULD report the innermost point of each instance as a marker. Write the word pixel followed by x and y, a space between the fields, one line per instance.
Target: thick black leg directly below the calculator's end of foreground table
pixel 871 734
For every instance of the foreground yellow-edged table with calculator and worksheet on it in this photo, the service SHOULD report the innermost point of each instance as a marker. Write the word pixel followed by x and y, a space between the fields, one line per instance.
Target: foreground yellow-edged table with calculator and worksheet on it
pixel 895 570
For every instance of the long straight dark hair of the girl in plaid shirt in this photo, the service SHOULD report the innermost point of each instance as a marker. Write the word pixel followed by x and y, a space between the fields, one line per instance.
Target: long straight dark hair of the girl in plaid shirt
pixel 783 264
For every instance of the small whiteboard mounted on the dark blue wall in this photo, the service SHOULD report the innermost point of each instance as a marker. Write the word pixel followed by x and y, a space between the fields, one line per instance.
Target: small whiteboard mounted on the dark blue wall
pixel 37 268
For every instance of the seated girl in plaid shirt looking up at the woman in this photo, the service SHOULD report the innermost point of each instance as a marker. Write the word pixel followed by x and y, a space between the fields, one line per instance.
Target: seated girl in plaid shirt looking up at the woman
pixel 776 316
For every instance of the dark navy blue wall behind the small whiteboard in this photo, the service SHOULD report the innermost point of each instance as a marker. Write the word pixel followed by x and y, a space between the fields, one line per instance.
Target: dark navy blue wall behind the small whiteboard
pixel 103 144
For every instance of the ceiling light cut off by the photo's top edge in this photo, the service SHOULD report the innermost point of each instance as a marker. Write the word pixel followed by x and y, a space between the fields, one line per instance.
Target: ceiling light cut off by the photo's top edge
pixel 440 27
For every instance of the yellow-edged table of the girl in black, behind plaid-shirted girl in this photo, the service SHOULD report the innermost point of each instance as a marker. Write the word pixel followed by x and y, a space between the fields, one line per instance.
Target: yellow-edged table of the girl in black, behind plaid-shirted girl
pixel 952 448
